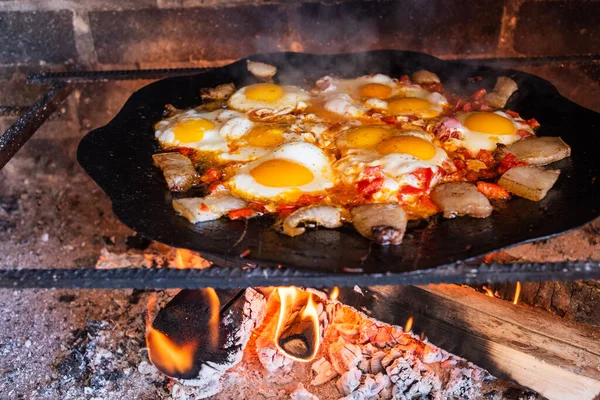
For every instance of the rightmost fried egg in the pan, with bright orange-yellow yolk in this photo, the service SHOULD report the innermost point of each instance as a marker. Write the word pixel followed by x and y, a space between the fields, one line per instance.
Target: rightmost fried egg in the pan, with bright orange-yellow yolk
pixel 481 130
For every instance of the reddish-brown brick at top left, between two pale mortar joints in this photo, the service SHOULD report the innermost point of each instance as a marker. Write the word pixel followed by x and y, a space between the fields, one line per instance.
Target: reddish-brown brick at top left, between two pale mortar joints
pixel 168 35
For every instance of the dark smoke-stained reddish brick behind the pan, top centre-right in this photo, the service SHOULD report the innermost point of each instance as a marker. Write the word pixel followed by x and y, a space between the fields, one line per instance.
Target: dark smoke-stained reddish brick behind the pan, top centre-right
pixel 438 27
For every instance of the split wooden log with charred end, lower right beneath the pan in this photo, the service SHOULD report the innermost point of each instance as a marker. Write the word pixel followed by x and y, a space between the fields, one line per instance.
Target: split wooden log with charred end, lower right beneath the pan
pixel 559 359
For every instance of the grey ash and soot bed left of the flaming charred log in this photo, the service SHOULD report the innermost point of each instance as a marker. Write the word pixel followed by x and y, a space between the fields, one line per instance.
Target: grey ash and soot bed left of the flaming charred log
pixel 76 345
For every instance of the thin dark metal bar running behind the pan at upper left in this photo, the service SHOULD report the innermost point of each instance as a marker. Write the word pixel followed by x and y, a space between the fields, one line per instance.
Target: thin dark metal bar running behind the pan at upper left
pixel 105 76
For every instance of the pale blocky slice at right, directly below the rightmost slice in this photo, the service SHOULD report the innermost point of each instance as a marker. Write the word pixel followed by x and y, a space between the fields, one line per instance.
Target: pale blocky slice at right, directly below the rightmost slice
pixel 530 182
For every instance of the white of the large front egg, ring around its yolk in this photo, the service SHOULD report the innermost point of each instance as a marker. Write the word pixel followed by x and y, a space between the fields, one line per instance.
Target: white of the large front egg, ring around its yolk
pixel 243 185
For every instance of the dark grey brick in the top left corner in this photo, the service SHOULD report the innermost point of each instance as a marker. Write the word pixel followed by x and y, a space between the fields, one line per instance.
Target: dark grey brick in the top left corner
pixel 31 37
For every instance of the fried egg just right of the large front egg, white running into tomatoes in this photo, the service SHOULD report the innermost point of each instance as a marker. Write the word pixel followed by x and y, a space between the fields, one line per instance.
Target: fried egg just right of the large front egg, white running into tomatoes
pixel 398 156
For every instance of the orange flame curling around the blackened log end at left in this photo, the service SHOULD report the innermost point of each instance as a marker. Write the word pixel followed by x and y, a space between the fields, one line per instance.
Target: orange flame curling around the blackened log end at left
pixel 178 359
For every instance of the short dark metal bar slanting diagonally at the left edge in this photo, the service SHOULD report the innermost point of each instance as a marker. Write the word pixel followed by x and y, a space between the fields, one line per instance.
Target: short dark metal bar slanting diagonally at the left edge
pixel 24 128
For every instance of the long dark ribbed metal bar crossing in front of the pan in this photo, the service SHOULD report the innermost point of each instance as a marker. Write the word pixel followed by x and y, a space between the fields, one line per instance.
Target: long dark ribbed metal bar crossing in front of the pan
pixel 227 278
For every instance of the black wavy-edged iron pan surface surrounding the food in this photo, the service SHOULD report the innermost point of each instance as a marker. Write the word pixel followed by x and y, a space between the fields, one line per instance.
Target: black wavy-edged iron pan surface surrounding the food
pixel 118 157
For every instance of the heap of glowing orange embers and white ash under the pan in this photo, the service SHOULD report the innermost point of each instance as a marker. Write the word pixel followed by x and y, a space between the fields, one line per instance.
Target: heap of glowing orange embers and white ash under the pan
pixel 358 358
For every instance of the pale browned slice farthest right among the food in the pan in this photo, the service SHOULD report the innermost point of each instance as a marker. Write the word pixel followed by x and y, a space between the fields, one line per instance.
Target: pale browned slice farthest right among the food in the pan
pixel 536 151
